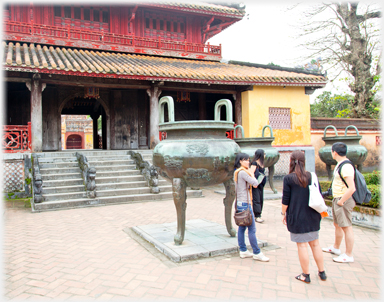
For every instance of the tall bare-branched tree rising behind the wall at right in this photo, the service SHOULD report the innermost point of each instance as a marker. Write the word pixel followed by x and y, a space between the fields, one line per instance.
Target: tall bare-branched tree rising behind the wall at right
pixel 348 40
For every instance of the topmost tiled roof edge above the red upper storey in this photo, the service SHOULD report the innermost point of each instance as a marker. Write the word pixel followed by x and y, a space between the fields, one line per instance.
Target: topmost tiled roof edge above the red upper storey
pixel 199 7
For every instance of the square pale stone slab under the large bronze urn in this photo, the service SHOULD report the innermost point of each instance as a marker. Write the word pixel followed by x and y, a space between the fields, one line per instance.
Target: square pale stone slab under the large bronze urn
pixel 203 239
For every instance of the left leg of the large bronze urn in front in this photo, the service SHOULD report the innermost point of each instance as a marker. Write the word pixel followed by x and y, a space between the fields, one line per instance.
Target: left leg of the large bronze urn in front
pixel 179 198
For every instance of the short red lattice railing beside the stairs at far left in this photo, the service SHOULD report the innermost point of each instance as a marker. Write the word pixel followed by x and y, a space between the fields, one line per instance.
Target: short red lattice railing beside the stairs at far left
pixel 17 138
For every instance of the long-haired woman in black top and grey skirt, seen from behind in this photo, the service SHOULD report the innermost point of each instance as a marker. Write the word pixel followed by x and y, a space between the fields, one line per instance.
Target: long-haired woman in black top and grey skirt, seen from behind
pixel 302 221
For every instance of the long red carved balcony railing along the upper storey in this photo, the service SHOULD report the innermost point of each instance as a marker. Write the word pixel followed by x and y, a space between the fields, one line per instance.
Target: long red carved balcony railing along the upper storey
pixel 37 31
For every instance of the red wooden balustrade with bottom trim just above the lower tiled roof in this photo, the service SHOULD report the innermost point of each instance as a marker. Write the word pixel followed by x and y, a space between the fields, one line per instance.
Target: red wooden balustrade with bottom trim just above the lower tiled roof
pixel 70 36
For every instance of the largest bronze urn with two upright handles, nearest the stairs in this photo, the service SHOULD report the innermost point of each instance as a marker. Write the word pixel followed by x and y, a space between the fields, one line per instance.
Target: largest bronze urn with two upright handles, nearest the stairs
pixel 197 154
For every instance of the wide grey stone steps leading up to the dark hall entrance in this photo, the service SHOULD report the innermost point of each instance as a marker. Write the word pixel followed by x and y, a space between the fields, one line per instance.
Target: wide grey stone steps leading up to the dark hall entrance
pixel 117 180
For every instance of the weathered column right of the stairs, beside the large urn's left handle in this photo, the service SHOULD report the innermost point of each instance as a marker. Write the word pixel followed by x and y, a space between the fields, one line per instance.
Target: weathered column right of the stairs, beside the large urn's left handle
pixel 154 93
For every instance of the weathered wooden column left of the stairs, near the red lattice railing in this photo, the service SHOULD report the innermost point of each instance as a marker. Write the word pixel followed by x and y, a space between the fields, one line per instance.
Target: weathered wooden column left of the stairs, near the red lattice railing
pixel 36 87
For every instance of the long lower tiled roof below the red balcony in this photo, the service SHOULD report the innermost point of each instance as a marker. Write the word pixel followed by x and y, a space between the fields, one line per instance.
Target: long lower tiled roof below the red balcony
pixel 49 59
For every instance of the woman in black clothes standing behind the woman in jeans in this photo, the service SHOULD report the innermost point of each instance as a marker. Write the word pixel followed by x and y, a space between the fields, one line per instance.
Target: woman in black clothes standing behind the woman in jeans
pixel 257 167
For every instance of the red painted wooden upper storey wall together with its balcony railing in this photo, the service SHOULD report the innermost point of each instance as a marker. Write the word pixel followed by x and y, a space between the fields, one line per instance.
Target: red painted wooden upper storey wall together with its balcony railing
pixel 126 29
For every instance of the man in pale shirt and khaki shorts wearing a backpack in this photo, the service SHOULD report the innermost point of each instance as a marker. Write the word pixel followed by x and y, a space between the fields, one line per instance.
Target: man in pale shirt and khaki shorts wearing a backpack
pixel 342 205
